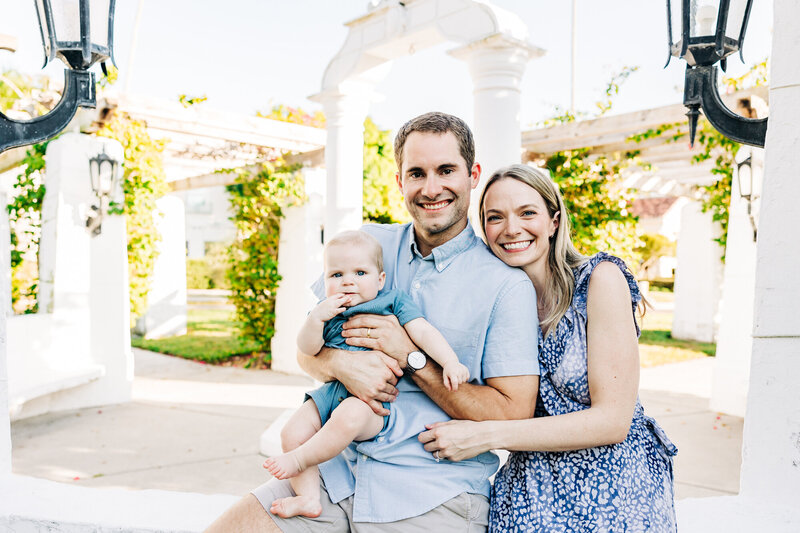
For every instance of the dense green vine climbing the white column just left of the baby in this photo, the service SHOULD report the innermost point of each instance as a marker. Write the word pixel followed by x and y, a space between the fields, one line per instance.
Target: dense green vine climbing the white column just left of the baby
pixel 258 201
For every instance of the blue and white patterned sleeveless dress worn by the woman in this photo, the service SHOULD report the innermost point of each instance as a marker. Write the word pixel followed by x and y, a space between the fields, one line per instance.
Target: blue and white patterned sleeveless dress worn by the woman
pixel 621 487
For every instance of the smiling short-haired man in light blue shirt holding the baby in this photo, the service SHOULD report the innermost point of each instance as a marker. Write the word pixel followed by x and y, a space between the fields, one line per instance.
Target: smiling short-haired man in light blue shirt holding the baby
pixel 487 313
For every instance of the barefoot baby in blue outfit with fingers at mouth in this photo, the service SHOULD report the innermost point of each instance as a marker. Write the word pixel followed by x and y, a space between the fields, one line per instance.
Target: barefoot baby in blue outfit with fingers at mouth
pixel 330 419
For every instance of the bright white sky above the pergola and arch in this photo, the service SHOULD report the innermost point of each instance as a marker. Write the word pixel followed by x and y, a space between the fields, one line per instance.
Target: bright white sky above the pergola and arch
pixel 247 55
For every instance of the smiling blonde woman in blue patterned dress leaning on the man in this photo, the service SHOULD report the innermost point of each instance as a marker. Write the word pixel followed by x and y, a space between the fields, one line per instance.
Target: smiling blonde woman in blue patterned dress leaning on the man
pixel 589 460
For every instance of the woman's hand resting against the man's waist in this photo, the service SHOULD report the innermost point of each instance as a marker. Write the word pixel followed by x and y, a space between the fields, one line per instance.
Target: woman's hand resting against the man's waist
pixel 456 440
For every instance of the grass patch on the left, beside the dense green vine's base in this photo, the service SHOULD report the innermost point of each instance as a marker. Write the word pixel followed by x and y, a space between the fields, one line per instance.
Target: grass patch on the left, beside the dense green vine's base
pixel 211 337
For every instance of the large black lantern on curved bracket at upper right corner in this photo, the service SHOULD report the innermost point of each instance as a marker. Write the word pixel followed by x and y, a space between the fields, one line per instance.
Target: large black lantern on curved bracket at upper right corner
pixel 709 31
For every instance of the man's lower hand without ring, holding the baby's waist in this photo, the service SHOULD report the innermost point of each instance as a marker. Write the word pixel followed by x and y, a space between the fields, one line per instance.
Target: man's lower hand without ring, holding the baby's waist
pixel 371 377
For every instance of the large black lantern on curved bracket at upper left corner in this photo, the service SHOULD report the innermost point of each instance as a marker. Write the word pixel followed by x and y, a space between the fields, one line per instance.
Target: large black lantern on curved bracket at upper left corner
pixel 80 33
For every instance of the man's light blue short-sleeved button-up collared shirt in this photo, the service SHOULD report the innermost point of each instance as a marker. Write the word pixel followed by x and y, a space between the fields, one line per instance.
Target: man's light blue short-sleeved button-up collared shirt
pixel 487 312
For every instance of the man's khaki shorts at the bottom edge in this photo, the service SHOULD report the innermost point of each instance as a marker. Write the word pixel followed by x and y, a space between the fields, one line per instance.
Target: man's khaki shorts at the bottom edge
pixel 466 513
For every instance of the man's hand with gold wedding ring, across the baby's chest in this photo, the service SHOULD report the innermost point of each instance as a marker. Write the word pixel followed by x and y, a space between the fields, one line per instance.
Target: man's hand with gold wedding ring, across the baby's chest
pixel 379 332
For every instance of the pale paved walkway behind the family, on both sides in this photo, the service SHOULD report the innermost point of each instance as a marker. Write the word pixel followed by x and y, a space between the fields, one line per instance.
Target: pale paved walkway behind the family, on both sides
pixel 194 427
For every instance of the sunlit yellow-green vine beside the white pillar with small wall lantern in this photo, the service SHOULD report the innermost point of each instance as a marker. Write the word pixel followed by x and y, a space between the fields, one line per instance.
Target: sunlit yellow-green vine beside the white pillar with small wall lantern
pixel 144 183
